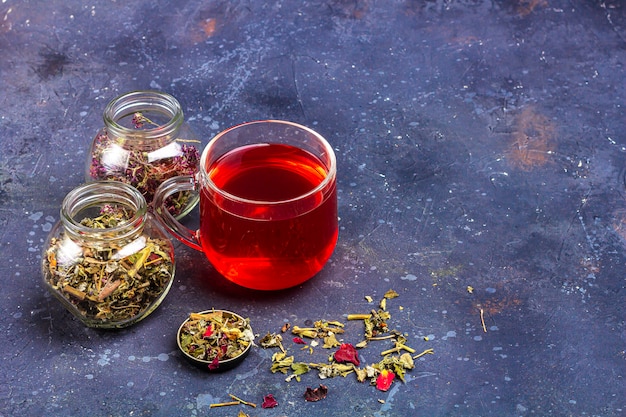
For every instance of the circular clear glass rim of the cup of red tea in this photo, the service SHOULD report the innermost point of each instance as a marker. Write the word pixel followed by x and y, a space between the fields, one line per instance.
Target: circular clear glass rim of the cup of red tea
pixel 330 176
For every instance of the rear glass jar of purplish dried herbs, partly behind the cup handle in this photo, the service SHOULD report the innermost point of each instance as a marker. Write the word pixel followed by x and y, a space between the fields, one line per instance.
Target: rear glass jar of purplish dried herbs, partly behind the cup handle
pixel 145 140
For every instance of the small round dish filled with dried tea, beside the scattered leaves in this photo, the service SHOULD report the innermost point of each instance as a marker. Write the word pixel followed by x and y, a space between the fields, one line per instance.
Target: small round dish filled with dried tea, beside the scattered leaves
pixel 215 336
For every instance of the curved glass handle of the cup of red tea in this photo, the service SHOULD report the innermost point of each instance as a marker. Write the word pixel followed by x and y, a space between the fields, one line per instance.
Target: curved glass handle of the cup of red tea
pixel 165 190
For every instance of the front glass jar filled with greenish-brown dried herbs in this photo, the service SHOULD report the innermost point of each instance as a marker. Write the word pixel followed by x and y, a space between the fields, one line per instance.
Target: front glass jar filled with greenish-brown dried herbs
pixel 107 260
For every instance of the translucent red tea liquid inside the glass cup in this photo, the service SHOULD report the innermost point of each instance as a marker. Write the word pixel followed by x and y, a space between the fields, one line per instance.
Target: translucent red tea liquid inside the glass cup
pixel 275 238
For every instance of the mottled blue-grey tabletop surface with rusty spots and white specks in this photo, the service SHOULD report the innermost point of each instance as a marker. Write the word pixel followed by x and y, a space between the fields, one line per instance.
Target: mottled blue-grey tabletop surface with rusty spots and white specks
pixel 480 144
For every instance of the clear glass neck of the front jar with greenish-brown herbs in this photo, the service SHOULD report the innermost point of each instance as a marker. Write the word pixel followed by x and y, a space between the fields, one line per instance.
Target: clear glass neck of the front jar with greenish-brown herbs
pixel 87 210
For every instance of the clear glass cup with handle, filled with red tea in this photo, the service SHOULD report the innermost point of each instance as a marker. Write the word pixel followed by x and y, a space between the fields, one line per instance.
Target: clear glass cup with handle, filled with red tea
pixel 268 204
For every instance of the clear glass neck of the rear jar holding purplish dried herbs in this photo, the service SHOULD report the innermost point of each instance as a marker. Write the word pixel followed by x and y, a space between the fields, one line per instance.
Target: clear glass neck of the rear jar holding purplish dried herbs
pixel 145 120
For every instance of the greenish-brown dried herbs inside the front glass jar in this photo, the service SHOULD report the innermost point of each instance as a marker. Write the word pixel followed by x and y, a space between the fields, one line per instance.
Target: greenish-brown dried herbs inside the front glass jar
pixel 108 284
